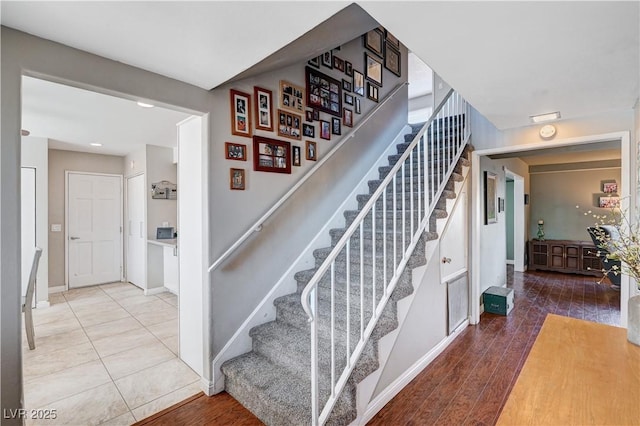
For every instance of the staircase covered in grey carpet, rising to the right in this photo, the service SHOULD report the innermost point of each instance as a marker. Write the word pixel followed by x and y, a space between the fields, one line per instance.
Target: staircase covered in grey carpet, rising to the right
pixel 273 380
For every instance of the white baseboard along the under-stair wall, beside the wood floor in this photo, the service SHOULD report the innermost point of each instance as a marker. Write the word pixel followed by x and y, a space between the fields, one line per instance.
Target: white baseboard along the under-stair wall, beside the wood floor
pixel 412 372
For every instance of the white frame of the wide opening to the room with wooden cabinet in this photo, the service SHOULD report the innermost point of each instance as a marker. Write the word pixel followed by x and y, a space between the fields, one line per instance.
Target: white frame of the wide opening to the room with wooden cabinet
pixel 627 199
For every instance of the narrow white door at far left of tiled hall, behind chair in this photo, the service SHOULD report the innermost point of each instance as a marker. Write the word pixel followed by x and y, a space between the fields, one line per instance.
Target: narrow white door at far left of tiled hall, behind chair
pixel 28 223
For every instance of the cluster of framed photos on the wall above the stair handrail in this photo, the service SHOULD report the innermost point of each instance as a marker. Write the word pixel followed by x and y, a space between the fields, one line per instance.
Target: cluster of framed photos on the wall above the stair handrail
pixel 283 121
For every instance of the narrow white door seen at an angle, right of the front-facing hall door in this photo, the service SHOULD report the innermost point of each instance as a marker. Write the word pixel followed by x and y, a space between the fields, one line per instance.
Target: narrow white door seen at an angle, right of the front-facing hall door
pixel 136 232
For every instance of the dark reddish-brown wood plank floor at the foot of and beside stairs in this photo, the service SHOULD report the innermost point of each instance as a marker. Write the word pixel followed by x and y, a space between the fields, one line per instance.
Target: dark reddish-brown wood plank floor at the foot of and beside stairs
pixel 470 381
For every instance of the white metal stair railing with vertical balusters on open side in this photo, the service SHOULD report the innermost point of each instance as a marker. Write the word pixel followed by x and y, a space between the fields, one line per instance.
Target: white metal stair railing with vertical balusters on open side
pixel 387 230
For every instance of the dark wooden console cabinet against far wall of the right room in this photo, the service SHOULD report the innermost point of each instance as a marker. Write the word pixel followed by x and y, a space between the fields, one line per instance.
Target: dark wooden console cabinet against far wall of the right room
pixel 575 257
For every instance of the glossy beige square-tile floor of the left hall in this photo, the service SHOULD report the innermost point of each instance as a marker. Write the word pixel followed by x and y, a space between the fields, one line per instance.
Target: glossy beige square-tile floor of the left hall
pixel 105 355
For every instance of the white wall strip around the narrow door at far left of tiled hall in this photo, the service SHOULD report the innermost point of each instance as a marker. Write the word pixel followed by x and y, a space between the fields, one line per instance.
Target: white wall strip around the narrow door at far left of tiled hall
pixel 34 154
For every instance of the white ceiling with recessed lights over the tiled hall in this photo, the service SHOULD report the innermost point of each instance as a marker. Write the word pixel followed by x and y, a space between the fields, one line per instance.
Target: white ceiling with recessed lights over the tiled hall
pixel 73 118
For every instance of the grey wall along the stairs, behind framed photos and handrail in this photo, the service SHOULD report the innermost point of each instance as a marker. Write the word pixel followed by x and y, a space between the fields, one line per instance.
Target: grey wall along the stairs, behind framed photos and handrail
pixel 243 280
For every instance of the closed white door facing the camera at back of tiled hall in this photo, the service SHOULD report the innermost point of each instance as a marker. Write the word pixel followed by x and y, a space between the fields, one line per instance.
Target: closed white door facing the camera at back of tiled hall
pixel 94 229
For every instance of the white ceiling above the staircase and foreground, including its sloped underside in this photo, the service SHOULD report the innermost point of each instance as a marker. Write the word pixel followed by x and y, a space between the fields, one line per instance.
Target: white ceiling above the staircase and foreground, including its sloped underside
pixel 509 59
